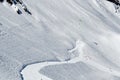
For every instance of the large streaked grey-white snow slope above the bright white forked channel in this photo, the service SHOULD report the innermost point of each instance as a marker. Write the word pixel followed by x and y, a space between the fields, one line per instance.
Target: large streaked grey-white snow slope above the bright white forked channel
pixel 53 29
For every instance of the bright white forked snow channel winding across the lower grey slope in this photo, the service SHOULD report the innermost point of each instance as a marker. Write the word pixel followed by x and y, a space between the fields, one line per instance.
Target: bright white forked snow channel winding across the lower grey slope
pixel 31 72
